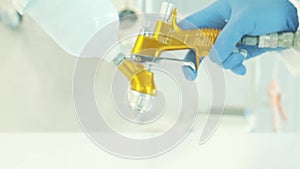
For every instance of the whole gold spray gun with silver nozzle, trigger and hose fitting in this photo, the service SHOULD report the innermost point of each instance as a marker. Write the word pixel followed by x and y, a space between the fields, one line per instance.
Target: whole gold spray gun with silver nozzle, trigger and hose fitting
pixel 168 36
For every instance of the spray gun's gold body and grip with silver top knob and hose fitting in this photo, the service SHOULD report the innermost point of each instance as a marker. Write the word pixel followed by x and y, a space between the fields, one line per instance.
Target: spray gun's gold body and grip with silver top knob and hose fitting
pixel 168 36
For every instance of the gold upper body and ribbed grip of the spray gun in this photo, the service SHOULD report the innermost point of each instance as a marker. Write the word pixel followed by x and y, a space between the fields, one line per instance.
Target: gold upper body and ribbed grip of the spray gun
pixel 169 36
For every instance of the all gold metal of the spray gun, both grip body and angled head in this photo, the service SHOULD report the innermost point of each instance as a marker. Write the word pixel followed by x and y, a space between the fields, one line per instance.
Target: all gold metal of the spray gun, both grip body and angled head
pixel 166 37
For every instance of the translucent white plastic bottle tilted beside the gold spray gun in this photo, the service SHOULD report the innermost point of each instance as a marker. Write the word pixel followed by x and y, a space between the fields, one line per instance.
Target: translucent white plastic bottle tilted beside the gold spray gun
pixel 73 23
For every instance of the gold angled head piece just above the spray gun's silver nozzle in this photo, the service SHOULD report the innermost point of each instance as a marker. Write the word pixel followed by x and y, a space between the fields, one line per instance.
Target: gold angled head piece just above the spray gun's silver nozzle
pixel 140 79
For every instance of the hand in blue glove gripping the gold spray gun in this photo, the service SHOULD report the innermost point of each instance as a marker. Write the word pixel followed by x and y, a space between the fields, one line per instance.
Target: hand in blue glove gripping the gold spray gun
pixel 238 18
